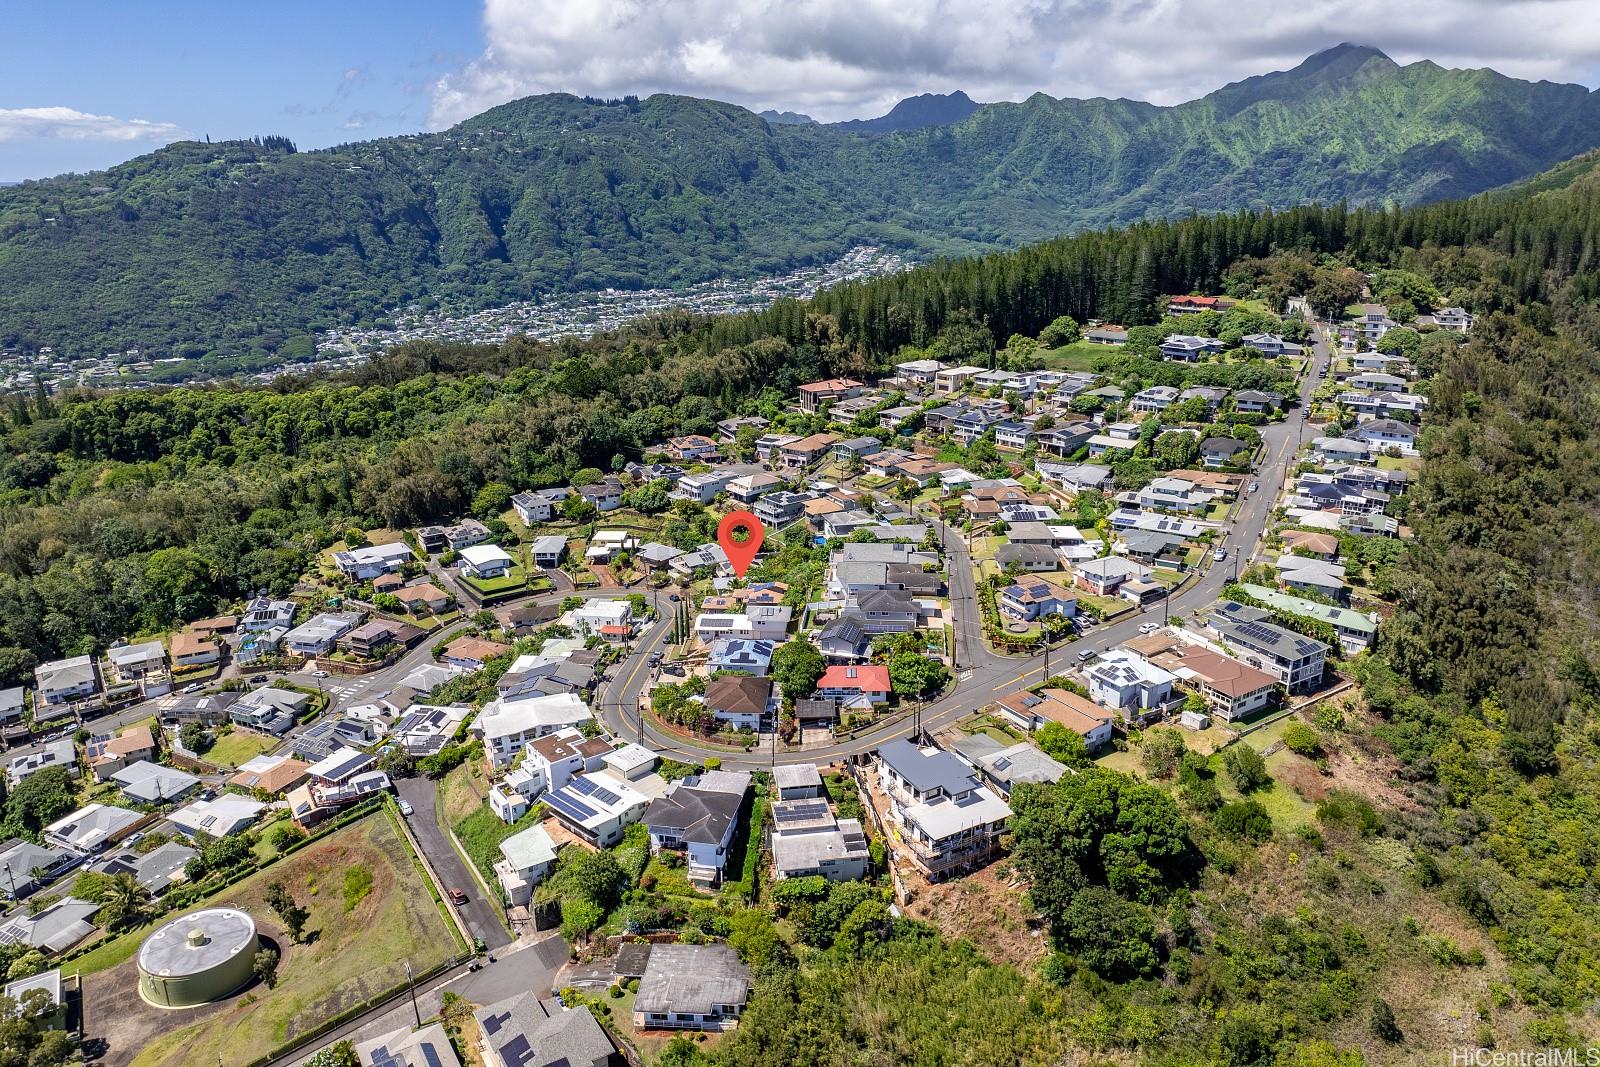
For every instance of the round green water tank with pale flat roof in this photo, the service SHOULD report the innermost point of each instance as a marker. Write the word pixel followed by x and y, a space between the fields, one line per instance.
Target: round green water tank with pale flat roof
pixel 198 959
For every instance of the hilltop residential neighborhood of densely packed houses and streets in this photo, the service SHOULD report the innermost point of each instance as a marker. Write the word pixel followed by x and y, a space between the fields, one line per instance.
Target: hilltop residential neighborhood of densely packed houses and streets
pixel 980 577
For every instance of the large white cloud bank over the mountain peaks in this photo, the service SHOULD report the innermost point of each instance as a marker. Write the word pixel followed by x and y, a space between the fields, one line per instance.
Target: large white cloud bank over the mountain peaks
pixel 854 58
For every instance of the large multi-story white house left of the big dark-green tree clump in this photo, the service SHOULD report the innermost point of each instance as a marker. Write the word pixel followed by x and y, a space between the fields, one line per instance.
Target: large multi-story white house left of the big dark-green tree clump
pixel 948 821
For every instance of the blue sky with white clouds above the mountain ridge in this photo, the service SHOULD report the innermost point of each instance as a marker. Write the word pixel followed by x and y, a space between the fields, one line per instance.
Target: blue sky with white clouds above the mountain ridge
pixel 87 86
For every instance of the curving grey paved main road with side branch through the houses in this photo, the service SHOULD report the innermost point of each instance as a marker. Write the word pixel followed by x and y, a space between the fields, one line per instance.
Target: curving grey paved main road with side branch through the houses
pixel 985 676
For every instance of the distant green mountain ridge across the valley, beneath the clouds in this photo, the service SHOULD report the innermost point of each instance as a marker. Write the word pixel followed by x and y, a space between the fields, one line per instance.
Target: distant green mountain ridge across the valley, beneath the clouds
pixel 249 249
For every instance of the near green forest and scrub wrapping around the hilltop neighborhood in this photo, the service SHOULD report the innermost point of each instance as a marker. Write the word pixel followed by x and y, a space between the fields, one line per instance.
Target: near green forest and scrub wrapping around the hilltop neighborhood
pixel 1446 895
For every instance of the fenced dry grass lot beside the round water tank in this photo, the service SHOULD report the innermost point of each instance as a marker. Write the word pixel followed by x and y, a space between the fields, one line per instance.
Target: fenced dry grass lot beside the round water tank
pixel 353 954
